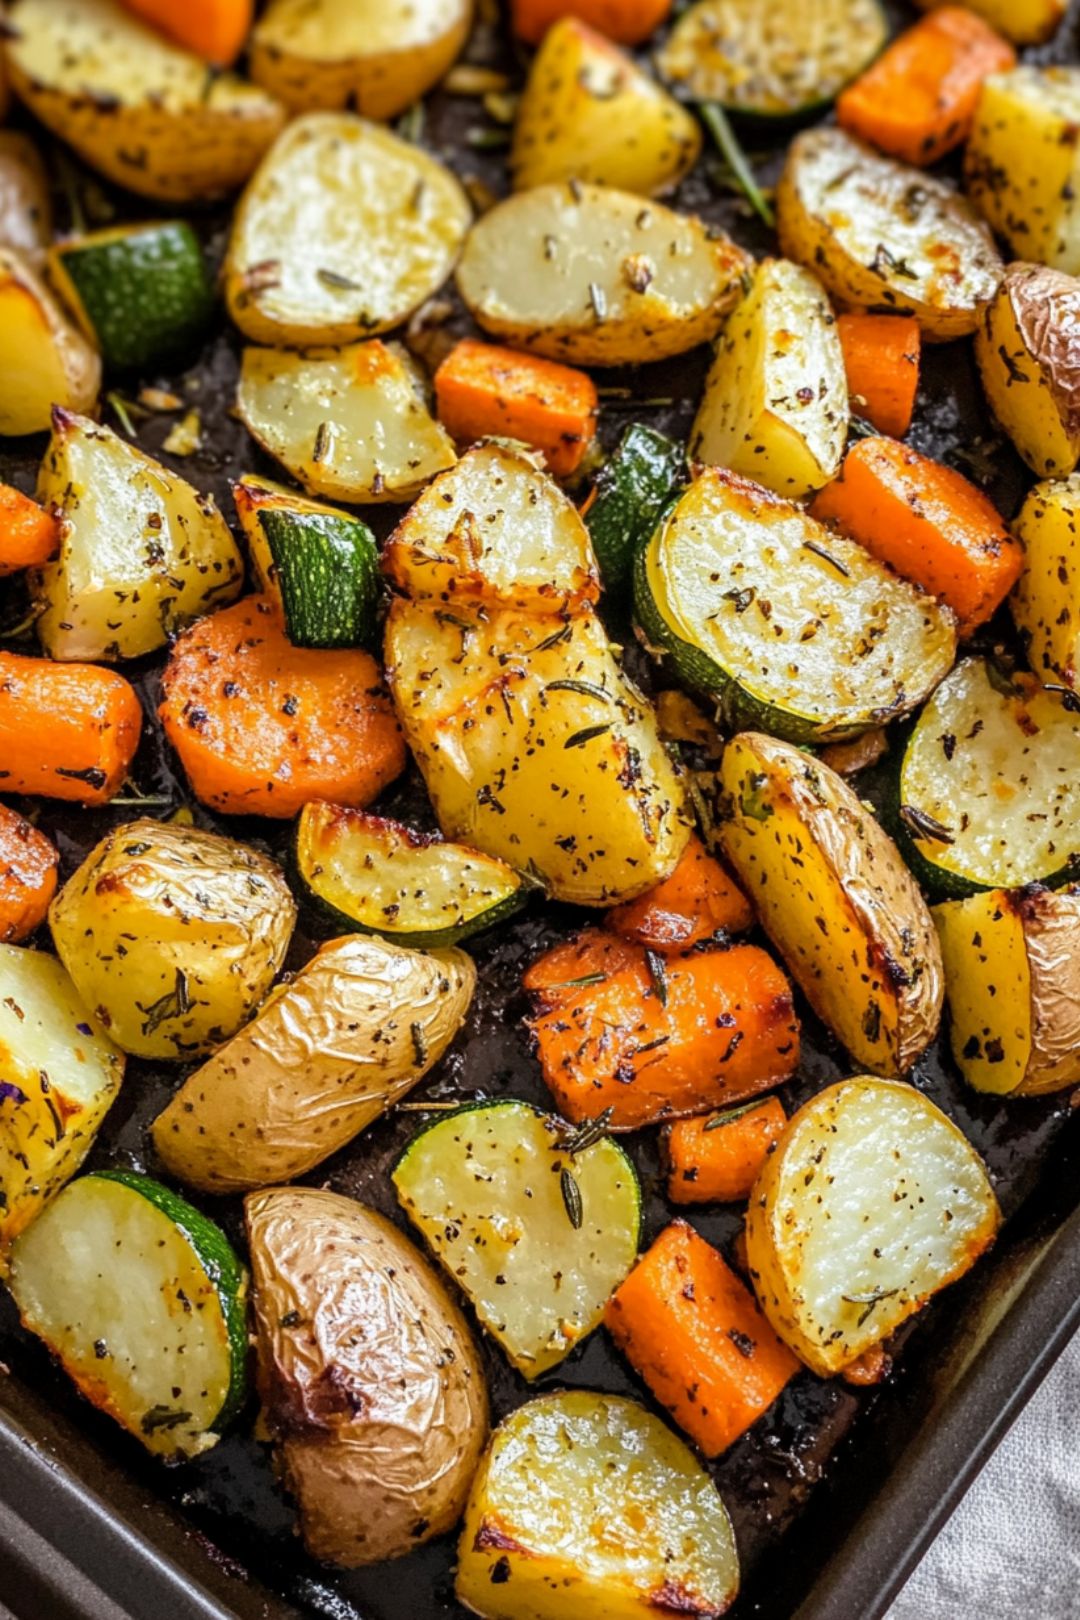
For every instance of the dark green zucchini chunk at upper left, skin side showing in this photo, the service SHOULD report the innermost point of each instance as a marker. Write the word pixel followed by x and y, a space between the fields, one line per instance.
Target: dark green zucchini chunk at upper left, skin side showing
pixel 140 292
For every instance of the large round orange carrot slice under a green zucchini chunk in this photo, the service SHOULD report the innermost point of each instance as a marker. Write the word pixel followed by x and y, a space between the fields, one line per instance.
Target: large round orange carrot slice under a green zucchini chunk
pixel 263 727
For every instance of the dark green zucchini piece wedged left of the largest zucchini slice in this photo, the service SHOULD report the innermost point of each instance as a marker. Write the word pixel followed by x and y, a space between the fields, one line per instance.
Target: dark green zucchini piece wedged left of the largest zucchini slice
pixel 632 490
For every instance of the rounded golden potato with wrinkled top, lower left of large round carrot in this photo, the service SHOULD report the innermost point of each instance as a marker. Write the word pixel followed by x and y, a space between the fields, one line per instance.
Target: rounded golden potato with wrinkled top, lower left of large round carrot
pixel 172 936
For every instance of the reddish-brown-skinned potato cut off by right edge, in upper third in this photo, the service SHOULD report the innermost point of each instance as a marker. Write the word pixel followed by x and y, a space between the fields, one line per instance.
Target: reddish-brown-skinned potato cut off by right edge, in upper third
pixel 1027 351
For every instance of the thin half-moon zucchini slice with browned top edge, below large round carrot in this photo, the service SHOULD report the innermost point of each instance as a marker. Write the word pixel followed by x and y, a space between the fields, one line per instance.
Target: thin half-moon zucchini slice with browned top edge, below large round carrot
pixel 410 887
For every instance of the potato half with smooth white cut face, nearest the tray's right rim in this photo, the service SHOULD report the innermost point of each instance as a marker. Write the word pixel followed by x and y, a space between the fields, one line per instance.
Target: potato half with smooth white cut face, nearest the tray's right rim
pixel 870 1203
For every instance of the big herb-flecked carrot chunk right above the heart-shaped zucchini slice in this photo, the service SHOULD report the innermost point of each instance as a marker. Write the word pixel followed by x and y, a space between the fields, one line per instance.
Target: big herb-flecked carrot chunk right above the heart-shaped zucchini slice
pixel 657 1038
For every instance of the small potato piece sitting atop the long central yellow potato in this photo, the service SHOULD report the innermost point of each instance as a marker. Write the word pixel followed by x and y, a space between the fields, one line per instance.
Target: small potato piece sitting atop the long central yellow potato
pixel 495 529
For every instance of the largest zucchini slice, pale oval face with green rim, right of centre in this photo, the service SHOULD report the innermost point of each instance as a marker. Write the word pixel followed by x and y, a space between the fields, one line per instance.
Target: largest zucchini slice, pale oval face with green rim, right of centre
pixel 794 629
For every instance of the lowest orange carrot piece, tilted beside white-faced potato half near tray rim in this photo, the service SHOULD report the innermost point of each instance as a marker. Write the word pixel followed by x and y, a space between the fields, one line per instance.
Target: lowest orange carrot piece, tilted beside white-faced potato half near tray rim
pixel 699 1339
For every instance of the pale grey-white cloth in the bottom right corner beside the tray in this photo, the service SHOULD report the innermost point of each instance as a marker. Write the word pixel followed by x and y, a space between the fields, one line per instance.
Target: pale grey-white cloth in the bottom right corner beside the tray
pixel 1013 1548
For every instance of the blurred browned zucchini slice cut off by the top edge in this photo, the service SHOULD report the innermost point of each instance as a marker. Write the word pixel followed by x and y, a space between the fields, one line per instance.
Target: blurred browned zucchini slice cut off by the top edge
pixel 773 59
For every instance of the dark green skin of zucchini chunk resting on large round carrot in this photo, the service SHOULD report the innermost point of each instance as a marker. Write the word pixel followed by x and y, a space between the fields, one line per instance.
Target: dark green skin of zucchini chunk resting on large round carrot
pixel 328 573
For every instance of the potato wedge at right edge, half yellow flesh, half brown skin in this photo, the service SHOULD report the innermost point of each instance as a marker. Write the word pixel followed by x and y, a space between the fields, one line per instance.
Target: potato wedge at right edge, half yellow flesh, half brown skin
pixel 1013 979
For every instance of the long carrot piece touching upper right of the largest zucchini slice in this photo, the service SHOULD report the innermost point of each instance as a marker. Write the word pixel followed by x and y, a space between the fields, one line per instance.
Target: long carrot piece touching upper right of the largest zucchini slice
pixel 927 522
